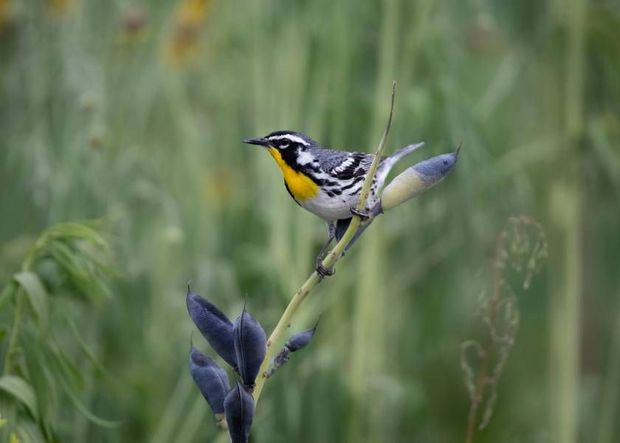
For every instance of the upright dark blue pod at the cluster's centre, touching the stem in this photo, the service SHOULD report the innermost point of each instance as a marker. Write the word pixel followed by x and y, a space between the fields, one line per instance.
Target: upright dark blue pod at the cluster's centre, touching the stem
pixel 250 347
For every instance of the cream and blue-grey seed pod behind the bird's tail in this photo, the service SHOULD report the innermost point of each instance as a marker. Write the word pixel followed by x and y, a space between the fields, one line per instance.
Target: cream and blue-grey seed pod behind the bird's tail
pixel 417 179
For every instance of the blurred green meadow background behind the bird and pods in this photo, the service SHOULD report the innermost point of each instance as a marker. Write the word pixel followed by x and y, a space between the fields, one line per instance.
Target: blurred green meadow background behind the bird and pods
pixel 130 114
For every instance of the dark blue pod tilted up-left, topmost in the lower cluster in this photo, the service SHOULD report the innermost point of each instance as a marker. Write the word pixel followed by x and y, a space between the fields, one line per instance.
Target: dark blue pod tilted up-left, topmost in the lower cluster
pixel 214 326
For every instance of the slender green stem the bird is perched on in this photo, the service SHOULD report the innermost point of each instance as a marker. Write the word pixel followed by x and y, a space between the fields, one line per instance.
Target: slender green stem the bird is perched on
pixel 328 262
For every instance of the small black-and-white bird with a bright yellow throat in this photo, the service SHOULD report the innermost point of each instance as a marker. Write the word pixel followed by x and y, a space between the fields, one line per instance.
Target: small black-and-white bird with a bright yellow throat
pixel 326 182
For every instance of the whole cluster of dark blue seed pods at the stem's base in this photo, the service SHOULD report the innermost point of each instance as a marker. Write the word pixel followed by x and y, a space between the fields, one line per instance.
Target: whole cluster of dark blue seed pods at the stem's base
pixel 241 344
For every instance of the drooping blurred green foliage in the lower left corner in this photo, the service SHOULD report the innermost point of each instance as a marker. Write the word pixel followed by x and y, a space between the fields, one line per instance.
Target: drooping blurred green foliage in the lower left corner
pixel 46 317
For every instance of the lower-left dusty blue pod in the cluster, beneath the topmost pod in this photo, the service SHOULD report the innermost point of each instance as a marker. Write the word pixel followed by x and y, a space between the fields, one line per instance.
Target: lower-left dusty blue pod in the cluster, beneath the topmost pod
pixel 210 379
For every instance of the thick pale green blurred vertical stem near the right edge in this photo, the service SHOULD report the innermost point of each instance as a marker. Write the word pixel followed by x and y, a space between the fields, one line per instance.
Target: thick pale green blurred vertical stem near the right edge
pixel 566 205
